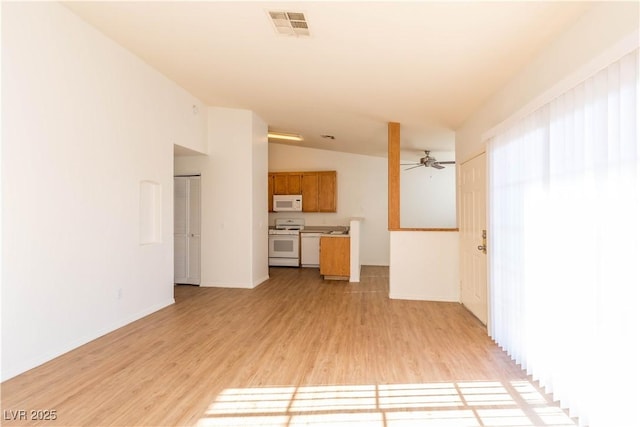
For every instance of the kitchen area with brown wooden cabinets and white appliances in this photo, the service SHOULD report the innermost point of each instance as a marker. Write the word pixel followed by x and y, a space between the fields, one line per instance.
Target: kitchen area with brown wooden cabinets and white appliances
pixel 296 240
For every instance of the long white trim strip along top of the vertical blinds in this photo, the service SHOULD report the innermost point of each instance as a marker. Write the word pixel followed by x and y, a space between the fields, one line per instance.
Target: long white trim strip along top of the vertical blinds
pixel 626 45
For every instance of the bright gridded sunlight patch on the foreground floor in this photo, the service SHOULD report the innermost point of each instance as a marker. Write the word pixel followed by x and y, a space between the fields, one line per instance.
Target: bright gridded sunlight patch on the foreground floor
pixel 447 404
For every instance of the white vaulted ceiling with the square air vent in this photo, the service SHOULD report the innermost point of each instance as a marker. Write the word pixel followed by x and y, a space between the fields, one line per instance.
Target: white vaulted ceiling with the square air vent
pixel 426 65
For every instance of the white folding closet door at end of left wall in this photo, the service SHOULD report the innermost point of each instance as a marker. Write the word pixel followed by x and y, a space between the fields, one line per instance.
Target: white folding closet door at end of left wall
pixel 186 228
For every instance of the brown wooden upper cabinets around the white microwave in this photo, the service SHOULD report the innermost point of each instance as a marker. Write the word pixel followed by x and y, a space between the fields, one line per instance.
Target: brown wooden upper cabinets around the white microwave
pixel 318 189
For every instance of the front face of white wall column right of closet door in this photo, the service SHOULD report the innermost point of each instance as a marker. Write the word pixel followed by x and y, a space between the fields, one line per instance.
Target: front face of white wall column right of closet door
pixel 227 196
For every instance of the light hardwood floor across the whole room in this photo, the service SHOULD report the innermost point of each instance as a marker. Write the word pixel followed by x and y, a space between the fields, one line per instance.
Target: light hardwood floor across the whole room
pixel 294 351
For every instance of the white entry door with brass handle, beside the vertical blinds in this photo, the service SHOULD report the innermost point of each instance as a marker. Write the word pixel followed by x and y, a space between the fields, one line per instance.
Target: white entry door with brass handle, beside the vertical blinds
pixel 473 223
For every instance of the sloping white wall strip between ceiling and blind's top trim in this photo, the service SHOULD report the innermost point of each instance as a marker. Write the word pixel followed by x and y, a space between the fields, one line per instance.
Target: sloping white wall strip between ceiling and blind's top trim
pixel 599 28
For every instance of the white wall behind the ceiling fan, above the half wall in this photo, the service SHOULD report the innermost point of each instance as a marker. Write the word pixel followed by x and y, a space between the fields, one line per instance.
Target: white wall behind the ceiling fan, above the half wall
pixel 428 195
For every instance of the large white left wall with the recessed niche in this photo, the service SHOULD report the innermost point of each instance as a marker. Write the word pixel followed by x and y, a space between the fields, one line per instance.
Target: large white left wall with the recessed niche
pixel 83 123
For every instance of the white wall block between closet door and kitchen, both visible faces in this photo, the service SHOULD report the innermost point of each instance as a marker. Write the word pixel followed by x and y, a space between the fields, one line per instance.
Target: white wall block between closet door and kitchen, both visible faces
pixel 234 199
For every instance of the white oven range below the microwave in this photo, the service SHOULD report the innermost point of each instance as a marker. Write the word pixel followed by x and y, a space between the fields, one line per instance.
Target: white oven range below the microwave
pixel 284 242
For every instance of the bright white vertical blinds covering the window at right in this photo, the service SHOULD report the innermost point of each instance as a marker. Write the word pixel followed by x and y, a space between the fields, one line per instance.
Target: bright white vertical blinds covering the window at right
pixel 564 217
